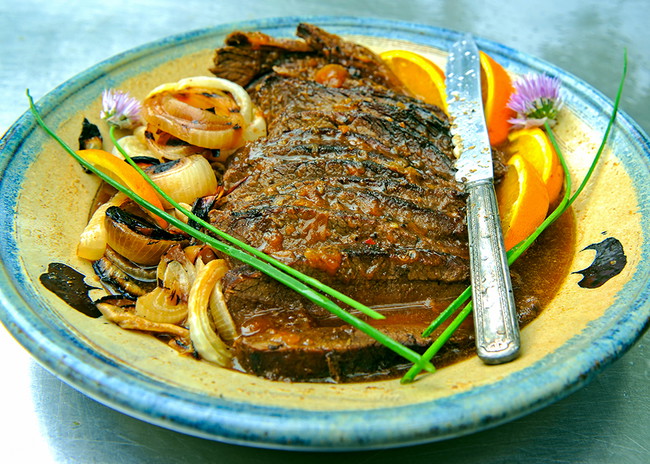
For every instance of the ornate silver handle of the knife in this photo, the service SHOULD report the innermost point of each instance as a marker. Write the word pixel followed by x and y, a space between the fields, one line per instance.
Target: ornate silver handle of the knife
pixel 495 320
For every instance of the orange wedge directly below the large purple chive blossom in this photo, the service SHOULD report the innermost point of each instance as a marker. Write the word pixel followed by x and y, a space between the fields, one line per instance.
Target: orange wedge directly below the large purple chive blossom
pixel 534 145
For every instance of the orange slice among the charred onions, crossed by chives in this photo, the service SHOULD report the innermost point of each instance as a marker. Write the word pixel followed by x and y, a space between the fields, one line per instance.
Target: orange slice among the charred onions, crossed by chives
pixel 122 172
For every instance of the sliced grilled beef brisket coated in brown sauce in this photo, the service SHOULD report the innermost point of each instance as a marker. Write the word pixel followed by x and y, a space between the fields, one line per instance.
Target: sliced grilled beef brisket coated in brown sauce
pixel 353 185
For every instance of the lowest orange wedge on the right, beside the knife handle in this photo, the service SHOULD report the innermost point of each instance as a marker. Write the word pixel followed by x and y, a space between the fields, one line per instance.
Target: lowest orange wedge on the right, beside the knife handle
pixel 523 201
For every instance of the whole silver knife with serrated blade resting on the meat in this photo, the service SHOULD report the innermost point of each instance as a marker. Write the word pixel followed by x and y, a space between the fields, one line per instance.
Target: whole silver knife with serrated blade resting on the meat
pixel 495 318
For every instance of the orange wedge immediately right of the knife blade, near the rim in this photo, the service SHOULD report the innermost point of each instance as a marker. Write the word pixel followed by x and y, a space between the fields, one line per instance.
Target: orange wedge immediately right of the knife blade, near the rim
pixel 497 88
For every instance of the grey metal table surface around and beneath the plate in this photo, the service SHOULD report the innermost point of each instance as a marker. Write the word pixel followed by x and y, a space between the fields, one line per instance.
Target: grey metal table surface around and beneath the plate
pixel 47 42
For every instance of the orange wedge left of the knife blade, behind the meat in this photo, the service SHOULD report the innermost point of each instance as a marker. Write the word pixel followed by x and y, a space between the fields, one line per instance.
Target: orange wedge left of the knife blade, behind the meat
pixel 422 77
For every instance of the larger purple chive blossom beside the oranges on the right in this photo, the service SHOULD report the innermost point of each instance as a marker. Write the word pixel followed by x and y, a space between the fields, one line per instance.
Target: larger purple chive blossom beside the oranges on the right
pixel 536 100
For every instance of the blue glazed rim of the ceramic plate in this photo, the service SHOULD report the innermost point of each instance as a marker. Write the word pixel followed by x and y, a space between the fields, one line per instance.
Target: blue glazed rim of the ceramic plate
pixel 130 391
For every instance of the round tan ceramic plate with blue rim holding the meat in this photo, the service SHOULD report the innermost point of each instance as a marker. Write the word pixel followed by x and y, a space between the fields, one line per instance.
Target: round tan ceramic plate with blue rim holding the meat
pixel 581 331
